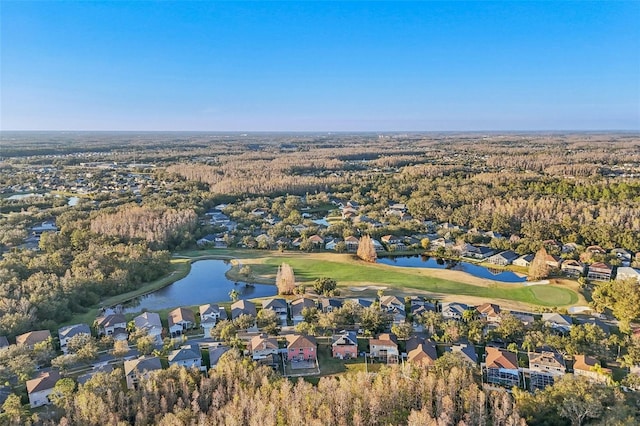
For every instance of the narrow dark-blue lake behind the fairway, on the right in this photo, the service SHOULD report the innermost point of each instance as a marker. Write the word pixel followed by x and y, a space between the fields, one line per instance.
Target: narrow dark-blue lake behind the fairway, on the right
pixel 469 268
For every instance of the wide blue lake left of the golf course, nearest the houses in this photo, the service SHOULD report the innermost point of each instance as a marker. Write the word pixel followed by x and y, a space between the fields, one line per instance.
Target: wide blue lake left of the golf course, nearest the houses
pixel 206 283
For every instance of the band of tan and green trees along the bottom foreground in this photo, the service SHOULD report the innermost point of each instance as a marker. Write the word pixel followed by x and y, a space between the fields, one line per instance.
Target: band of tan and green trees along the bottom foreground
pixel 238 392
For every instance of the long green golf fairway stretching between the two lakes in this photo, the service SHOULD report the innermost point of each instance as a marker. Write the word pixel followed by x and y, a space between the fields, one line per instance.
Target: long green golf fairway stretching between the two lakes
pixel 348 271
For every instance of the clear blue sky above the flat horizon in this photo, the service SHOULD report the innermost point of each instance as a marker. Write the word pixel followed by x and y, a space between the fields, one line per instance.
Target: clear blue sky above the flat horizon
pixel 342 66
